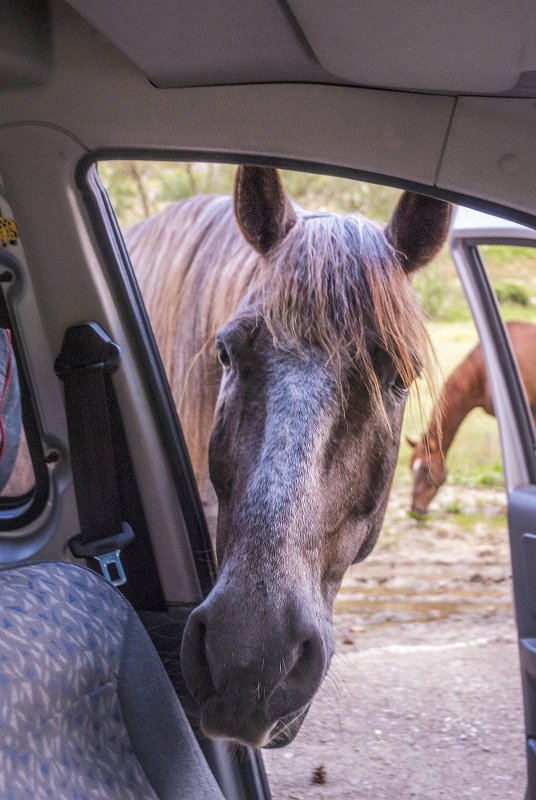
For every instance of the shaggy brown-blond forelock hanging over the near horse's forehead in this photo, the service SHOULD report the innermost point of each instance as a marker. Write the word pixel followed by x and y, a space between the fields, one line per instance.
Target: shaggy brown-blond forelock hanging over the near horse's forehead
pixel 336 283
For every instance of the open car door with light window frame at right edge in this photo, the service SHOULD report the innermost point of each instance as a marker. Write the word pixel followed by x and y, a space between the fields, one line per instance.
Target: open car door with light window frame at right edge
pixel 471 232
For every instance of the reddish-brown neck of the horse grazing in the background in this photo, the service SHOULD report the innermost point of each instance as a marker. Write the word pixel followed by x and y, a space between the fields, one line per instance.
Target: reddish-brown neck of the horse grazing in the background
pixel 463 391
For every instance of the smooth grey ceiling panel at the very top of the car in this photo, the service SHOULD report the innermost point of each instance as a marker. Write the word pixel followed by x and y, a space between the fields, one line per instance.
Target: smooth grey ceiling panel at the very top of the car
pixel 480 47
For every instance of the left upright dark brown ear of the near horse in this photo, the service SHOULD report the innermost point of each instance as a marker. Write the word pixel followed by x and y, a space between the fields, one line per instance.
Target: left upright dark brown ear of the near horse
pixel 263 211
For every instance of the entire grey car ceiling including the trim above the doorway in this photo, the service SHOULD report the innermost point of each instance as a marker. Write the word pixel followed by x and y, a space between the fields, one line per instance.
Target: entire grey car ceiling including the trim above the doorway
pixel 298 83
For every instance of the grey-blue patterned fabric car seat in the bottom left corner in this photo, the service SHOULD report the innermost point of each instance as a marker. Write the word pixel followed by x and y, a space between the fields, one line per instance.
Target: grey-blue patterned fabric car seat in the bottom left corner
pixel 87 711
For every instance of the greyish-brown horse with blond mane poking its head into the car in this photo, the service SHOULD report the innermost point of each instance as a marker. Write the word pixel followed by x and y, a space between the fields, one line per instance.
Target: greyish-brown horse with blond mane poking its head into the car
pixel 297 336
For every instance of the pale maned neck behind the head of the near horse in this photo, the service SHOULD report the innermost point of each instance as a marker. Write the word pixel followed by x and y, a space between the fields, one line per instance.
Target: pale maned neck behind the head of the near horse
pixel 192 265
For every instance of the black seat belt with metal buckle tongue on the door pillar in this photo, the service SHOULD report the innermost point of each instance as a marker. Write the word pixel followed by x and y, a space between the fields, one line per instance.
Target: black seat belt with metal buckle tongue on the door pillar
pixel 87 359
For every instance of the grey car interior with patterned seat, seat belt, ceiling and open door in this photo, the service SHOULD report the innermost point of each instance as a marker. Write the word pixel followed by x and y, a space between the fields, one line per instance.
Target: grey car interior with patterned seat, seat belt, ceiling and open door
pixel 439 100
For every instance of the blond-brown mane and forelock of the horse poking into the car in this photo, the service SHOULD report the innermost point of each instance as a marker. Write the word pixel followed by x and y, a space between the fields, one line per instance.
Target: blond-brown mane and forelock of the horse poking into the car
pixel 334 282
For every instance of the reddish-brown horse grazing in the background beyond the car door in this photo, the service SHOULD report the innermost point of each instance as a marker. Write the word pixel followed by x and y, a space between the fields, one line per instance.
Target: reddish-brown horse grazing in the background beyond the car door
pixel 466 388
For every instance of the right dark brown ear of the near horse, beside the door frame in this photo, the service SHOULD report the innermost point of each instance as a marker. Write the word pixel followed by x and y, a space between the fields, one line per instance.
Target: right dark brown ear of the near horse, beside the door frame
pixel 418 228
